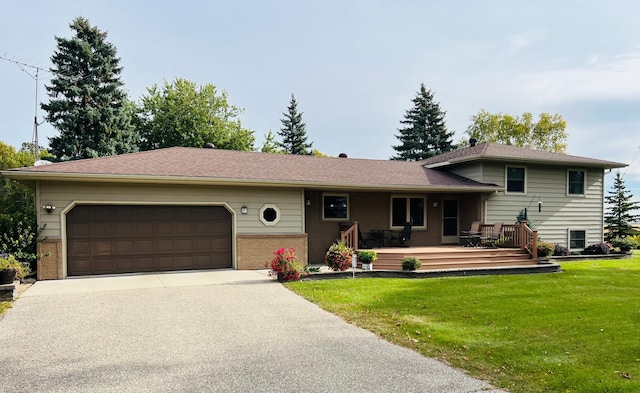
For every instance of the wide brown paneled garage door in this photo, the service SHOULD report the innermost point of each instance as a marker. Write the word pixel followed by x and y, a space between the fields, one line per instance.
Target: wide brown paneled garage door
pixel 107 239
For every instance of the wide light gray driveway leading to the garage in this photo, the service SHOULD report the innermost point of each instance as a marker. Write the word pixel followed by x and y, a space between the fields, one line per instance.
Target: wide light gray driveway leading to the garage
pixel 225 331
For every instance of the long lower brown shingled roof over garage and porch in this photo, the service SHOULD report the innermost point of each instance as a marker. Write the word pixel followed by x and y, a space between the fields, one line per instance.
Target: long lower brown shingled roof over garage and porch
pixel 208 166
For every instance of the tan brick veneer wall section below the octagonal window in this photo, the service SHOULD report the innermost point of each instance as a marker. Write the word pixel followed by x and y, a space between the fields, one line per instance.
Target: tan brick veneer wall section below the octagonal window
pixel 254 250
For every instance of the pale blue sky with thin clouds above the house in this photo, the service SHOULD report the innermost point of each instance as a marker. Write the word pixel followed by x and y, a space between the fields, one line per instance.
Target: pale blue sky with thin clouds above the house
pixel 354 66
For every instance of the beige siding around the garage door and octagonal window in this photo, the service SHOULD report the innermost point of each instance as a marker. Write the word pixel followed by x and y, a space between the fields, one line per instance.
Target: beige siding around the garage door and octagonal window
pixel 63 195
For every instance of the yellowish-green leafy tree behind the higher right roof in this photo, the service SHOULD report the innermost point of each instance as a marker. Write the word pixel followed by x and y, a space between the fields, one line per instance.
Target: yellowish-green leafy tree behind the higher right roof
pixel 548 133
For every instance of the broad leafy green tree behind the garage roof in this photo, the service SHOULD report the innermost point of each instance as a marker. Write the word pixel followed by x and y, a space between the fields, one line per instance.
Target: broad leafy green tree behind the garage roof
pixel 183 114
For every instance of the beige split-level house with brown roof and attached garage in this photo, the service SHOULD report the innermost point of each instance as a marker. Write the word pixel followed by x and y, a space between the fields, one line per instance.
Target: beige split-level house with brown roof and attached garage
pixel 186 208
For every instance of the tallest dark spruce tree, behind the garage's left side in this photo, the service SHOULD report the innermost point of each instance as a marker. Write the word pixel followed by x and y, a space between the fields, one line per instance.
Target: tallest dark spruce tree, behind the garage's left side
pixel 87 103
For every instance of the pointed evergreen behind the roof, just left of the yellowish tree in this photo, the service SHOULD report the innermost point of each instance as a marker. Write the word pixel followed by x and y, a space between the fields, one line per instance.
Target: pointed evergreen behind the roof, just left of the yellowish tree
pixel 424 134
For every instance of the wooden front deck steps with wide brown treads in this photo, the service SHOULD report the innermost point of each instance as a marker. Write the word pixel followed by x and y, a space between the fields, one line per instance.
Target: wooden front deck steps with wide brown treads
pixel 452 257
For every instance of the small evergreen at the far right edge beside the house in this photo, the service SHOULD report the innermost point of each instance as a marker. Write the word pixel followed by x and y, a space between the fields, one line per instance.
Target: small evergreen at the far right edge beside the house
pixel 619 216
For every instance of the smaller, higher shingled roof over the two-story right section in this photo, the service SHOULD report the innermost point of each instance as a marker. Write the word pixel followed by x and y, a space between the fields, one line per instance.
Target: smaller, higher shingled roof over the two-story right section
pixel 500 152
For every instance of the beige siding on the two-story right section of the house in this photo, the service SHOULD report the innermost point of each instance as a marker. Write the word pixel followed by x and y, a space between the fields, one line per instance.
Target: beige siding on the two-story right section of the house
pixel 560 212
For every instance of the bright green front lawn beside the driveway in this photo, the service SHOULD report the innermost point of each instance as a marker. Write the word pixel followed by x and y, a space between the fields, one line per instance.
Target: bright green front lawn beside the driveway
pixel 575 331
